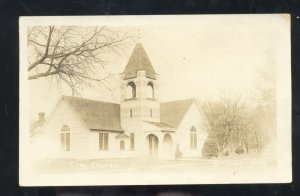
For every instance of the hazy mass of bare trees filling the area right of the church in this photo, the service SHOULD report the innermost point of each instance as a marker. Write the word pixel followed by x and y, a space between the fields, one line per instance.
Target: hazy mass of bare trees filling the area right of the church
pixel 234 125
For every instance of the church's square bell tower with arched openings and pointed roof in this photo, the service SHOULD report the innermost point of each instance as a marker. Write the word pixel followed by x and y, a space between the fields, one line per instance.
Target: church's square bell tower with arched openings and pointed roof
pixel 139 90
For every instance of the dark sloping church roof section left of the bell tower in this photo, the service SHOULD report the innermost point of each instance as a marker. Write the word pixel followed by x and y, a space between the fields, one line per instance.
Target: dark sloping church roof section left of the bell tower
pixel 97 115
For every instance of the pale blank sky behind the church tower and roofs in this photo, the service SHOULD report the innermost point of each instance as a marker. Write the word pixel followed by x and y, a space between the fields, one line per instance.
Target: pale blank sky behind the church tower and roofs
pixel 205 58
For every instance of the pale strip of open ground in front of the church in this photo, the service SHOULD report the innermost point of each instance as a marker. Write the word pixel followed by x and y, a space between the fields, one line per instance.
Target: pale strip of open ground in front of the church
pixel 148 165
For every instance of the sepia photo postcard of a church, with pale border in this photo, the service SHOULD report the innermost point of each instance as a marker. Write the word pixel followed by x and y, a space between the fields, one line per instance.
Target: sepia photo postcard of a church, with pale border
pixel 148 100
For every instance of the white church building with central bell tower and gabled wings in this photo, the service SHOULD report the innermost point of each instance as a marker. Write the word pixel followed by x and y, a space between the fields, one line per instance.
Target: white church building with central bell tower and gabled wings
pixel 139 126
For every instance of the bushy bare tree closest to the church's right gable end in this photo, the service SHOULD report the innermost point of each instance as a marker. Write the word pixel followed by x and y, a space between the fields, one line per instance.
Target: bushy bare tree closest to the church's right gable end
pixel 229 124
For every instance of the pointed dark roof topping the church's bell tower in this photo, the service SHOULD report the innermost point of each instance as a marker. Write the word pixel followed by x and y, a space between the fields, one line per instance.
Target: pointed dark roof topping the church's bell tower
pixel 139 60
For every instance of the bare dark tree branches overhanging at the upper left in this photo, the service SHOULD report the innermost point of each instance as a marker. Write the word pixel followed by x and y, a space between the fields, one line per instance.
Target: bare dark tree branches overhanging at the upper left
pixel 72 54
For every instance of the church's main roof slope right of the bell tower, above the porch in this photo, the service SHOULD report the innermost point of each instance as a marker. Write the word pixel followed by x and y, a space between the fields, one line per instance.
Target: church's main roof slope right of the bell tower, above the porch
pixel 172 113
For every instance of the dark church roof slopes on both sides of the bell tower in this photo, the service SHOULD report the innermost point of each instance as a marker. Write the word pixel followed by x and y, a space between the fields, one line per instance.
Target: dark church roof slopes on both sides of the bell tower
pixel 105 116
